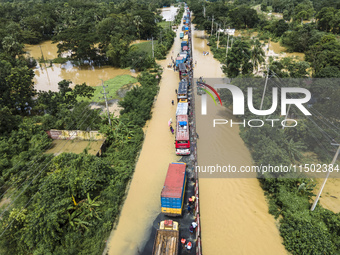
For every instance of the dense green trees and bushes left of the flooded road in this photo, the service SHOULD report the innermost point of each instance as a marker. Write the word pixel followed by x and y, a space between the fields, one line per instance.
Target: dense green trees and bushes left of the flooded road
pixel 67 204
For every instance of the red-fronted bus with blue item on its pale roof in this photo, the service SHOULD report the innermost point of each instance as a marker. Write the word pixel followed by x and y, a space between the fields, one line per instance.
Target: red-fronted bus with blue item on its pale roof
pixel 182 135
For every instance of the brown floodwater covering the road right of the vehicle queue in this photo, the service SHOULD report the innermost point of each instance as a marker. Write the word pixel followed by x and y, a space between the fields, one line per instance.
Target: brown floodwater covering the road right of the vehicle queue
pixel 234 211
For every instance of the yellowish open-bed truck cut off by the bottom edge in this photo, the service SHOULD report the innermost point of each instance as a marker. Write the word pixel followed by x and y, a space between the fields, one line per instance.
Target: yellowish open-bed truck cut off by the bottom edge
pixel 167 238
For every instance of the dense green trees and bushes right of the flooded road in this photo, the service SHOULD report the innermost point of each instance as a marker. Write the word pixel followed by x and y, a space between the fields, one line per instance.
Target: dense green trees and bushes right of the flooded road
pixel 290 195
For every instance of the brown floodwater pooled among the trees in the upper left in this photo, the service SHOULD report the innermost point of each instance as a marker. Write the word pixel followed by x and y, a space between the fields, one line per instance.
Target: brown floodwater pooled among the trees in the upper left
pixel 47 77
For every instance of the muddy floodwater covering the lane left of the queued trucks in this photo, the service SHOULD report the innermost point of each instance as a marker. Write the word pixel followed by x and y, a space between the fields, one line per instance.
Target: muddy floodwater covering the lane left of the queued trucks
pixel 142 204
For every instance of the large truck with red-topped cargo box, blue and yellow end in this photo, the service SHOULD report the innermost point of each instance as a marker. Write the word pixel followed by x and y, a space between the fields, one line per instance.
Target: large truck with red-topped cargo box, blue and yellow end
pixel 172 195
